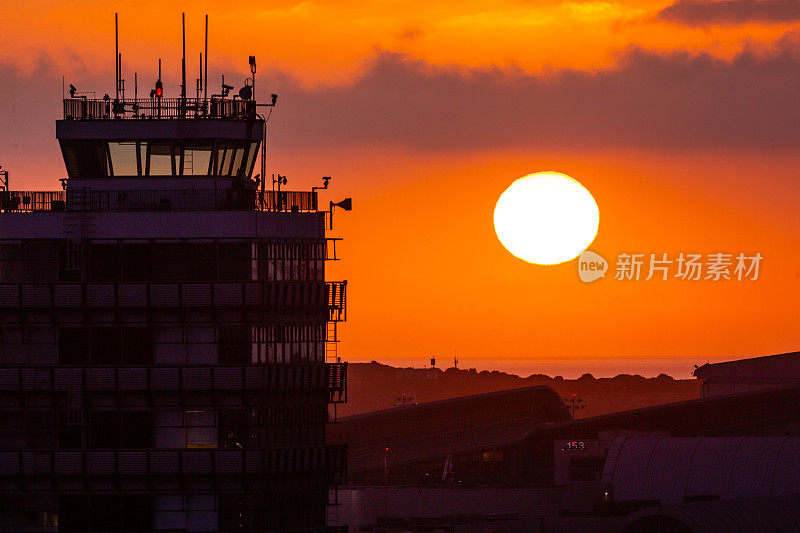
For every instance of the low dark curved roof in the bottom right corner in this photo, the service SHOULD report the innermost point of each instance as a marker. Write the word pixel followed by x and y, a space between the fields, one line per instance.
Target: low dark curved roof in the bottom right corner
pixel 732 516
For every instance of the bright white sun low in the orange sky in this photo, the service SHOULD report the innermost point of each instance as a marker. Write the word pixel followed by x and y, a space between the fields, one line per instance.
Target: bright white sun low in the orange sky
pixel 546 218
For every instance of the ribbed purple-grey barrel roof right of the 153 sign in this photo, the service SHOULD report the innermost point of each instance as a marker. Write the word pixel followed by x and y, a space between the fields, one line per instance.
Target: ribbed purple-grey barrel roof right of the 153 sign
pixel 667 469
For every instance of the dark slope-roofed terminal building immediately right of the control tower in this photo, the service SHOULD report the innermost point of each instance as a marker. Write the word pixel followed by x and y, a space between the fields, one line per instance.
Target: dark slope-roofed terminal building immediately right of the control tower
pixel 470 439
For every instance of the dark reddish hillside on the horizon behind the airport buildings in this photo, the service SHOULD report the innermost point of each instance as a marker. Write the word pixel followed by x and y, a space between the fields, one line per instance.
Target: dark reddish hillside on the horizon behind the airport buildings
pixel 373 386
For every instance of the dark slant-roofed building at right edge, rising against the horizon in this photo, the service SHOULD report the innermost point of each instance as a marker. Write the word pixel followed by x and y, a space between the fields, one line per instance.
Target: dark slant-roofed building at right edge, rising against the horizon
pixel 755 373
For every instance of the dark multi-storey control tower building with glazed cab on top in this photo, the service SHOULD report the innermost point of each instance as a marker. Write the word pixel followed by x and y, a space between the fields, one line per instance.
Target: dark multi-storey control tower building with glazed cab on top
pixel 166 331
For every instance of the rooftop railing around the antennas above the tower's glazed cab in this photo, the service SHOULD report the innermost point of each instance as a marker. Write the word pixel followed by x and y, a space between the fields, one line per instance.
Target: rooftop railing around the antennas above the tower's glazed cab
pixel 159 108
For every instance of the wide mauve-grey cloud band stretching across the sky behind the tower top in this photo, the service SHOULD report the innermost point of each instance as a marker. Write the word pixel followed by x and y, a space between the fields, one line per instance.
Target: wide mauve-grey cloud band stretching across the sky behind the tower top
pixel 648 101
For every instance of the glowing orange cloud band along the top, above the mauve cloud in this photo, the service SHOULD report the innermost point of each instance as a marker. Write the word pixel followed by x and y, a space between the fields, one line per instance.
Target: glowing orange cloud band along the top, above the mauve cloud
pixel 324 43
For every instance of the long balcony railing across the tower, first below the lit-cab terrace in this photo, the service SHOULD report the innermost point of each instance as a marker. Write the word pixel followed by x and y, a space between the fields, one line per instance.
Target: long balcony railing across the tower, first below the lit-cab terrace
pixel 312 296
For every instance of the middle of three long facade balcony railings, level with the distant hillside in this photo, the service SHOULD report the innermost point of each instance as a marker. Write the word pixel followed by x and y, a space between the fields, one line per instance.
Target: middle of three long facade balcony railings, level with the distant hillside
pixel 281 379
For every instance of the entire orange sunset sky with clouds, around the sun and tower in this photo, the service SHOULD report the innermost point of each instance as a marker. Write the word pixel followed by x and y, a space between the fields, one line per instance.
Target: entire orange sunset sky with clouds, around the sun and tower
pixel 682 129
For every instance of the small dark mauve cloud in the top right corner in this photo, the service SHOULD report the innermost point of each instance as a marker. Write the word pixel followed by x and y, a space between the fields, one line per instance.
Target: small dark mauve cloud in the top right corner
pixel 704 12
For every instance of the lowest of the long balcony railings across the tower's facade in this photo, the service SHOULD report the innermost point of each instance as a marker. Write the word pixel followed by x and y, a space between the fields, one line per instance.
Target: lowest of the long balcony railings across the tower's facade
pixel 326 463
